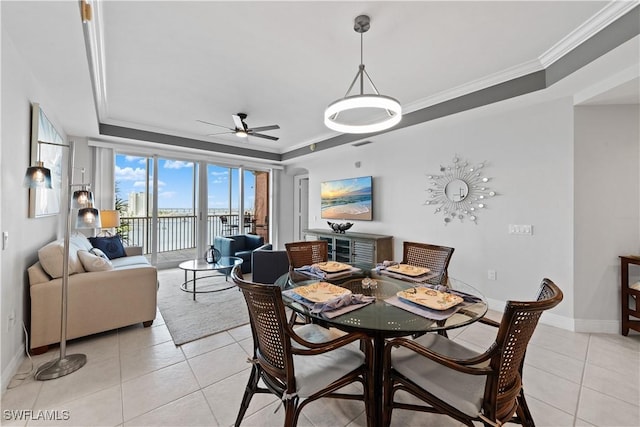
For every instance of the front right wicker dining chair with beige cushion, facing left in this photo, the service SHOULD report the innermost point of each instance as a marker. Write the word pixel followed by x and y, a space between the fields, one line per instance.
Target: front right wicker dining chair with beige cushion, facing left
pixel 468 386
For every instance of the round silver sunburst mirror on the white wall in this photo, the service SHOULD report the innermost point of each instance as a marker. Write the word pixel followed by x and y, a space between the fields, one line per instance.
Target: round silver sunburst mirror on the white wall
pixel 460 191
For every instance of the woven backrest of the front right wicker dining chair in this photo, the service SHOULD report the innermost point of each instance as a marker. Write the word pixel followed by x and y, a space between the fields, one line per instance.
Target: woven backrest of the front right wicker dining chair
pixel 518 323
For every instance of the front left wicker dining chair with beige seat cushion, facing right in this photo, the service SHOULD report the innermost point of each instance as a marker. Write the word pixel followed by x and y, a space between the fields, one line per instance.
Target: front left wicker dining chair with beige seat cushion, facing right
pixel 303 365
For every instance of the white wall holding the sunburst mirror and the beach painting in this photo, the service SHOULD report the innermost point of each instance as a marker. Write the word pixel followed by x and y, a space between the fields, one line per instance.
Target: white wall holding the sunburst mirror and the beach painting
pixel 529 154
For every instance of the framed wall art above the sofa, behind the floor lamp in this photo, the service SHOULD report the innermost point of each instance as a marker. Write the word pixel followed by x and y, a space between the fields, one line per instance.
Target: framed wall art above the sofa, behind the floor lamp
pixel 45 202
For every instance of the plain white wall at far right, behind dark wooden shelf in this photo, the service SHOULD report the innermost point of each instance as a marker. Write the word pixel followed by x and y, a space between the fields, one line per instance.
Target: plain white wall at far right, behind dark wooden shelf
pixel 607 200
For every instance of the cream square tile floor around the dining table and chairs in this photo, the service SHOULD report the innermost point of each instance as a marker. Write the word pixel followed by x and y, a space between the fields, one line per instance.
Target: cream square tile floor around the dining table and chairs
pixel 137 377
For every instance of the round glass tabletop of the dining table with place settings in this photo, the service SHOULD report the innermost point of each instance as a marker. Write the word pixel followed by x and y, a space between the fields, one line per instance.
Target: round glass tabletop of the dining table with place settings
pixel 381 317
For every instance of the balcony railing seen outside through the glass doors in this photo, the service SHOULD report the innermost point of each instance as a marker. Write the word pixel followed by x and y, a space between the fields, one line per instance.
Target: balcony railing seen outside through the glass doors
pixel 179 232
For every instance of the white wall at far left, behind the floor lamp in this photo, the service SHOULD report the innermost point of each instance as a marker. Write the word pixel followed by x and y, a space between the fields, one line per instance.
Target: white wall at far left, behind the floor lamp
pixel 26 235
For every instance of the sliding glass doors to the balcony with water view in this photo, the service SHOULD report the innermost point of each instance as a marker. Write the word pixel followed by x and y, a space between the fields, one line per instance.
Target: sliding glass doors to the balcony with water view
pixel 166 221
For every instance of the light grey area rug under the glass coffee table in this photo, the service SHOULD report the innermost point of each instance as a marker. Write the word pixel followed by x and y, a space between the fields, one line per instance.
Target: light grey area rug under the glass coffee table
pixel 189 320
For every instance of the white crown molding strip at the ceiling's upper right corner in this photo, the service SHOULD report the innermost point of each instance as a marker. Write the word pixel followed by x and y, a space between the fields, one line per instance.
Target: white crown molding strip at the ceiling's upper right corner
pixel 602 19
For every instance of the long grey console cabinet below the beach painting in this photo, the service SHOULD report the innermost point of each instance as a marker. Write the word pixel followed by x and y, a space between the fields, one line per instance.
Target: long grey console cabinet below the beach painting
pixel 351 247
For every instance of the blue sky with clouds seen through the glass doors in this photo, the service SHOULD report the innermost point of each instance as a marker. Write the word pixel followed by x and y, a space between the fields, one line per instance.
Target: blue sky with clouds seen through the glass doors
pixel 175 183
